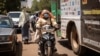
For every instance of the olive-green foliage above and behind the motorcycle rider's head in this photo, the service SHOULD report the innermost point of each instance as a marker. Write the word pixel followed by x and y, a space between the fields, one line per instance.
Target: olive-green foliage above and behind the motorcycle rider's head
pixel 42 4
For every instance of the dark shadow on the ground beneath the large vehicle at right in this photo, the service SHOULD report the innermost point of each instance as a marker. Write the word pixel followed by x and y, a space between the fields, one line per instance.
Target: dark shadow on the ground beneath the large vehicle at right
pixel 88 52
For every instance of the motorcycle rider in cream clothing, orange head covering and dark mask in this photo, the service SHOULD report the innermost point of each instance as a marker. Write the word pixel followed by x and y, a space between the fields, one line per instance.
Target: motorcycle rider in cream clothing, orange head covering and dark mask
pixel 46 17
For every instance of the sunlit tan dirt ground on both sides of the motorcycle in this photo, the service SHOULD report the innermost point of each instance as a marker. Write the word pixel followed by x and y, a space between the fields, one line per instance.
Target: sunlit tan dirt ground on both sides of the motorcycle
pixel 31 49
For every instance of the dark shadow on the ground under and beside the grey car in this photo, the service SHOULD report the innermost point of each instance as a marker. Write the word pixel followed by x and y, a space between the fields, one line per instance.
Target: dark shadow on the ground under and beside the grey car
pixel 18 51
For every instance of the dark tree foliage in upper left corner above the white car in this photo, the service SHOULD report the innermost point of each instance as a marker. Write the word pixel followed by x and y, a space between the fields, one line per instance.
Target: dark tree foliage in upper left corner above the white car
pixel 9 5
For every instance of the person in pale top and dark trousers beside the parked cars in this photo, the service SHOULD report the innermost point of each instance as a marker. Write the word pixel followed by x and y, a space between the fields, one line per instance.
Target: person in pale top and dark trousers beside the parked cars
pixel 24 24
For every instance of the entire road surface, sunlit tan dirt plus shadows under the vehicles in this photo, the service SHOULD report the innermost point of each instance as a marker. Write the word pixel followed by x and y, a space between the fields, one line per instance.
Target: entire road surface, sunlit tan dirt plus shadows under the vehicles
pixel 31 49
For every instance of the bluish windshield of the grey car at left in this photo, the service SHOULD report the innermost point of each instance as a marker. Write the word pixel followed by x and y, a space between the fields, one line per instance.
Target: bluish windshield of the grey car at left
pixel 5 22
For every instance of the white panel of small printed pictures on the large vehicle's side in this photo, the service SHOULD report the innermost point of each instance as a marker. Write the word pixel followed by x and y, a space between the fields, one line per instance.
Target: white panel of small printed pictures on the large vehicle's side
pixel 70 8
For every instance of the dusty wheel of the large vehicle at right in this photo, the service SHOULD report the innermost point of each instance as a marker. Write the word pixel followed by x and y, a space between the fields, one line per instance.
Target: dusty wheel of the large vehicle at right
pixel 76 47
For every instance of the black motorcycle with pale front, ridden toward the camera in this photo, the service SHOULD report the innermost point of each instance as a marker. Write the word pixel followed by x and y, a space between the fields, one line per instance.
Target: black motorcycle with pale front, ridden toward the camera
pixel 47 43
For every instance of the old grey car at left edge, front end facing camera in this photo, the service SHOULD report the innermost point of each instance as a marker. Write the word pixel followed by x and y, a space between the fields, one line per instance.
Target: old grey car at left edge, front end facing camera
pixel 8 36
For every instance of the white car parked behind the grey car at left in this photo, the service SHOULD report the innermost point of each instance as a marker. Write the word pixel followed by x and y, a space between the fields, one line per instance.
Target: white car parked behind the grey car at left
pixel 15 17
